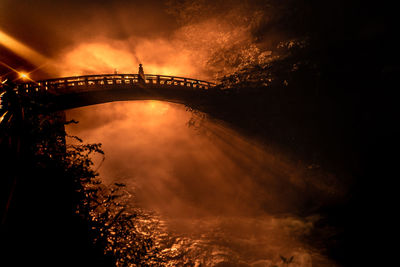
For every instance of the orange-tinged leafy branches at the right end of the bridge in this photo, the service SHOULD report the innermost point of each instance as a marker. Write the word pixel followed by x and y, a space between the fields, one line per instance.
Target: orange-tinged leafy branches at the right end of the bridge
pixel 287 64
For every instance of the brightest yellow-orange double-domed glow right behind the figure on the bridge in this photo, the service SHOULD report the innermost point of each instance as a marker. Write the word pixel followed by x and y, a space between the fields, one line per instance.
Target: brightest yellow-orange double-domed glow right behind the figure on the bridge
pixel 158 57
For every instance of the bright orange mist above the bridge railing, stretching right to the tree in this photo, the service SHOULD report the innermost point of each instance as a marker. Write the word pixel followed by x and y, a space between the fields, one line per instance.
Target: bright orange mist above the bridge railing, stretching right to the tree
pixel 189 52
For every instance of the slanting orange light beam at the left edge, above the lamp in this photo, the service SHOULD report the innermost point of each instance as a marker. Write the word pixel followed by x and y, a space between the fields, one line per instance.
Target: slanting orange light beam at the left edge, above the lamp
pixel 21 50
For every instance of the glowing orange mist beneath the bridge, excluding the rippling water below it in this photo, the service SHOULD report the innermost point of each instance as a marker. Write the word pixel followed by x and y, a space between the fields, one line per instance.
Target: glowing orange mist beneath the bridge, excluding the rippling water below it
pixel 169 157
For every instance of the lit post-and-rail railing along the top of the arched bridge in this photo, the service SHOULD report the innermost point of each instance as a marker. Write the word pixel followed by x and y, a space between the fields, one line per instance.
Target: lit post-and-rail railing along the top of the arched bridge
pixel 88 81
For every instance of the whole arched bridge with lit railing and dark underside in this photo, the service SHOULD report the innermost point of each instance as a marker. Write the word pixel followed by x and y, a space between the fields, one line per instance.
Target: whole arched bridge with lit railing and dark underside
pixel 69 92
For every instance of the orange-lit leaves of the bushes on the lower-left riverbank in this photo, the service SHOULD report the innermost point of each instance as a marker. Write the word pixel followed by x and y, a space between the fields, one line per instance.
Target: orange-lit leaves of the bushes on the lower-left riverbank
pixel 123 231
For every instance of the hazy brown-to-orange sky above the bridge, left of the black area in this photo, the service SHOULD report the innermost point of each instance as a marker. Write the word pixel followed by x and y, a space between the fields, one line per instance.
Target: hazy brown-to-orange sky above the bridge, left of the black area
pixel 82 37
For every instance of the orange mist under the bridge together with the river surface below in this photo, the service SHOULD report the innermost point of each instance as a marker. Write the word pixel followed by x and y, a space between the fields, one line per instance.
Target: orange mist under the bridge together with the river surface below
pixel 206 182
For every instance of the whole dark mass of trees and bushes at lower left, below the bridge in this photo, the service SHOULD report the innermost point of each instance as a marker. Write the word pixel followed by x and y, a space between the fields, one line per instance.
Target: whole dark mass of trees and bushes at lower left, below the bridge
pixel 59 202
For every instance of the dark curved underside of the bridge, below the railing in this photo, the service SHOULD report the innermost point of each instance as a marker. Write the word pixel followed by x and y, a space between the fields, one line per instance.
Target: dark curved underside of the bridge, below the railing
pixel 103 94
